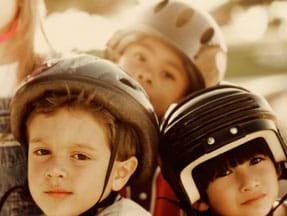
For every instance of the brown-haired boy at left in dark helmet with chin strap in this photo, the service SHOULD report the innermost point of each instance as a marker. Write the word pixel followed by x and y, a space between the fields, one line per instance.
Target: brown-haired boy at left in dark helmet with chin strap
pixel 88 129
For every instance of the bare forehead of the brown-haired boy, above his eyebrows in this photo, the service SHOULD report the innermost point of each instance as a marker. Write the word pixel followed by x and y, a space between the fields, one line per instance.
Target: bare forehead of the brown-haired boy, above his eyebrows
pixel 67 126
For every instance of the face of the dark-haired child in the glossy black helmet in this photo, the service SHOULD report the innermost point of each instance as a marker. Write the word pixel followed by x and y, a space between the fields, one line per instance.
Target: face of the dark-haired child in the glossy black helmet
pixel 248 189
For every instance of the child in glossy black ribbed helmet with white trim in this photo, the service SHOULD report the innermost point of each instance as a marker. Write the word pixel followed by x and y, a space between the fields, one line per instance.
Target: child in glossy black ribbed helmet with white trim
pixel 227 153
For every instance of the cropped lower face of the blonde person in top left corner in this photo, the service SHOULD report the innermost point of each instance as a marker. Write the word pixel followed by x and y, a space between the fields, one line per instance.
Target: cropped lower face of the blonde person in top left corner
pixel 8 10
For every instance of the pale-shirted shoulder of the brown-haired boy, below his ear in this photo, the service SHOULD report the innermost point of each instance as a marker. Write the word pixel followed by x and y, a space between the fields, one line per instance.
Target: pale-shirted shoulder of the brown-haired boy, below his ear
pixel 124 207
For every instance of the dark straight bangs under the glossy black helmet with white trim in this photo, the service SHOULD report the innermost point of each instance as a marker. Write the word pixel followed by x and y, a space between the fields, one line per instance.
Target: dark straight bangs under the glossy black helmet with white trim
pixel 208 171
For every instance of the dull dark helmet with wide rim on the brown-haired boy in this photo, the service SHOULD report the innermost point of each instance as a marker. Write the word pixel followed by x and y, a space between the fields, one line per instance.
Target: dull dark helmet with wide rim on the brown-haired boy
pixel 113 89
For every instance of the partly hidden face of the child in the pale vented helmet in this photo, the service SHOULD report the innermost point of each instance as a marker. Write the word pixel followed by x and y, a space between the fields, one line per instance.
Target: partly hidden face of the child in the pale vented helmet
pixel 159 69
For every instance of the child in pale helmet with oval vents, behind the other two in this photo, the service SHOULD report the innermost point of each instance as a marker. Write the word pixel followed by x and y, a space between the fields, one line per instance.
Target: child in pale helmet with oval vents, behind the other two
pixel 172 49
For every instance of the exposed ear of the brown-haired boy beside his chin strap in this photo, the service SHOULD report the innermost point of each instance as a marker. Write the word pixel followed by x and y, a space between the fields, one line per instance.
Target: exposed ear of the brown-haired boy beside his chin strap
pixel 122 172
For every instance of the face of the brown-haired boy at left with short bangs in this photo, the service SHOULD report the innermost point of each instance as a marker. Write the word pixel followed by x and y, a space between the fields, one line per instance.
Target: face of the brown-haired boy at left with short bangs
pixel 67 161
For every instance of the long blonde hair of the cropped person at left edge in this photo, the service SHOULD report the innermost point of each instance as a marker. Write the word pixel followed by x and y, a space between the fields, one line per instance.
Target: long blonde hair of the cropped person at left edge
pixel 20 48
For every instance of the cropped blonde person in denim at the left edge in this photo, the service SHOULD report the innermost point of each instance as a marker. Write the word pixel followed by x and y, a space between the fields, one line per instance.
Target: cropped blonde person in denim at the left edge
pixel 18 23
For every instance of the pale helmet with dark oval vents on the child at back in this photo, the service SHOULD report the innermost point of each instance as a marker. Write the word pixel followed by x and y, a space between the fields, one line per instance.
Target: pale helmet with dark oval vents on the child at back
pixel 192 31
